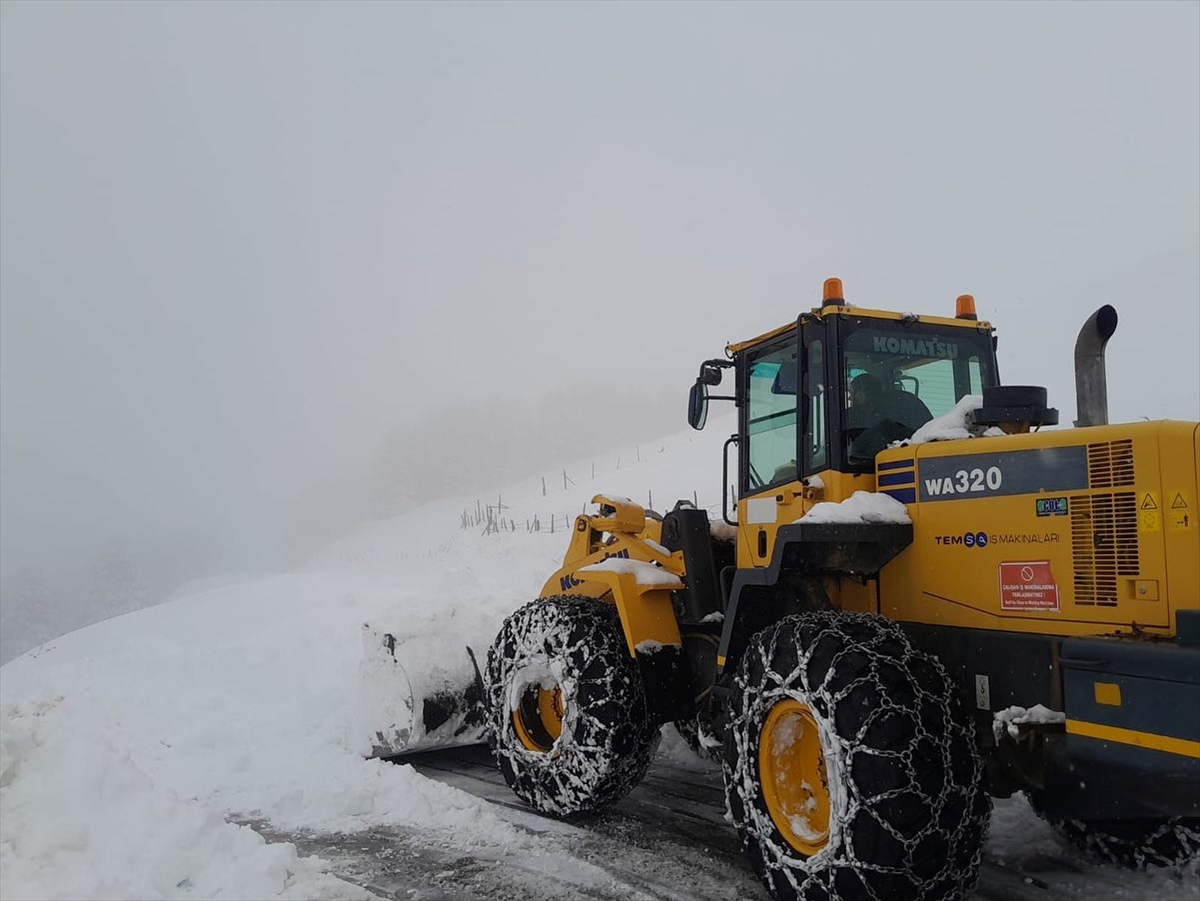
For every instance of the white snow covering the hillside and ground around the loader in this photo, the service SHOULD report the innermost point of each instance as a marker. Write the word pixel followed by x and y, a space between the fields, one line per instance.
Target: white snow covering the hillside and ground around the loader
pixel 136 754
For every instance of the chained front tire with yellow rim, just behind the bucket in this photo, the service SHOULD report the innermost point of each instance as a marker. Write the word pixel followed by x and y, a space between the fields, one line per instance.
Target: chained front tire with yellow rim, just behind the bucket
pixel 566 707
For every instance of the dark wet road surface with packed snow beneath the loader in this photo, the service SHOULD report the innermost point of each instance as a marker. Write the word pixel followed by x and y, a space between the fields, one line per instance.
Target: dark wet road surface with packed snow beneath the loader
pixel 669 842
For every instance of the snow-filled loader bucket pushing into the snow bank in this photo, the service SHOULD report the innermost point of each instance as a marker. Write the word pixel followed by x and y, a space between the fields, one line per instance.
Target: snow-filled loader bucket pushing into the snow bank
pixel 428 706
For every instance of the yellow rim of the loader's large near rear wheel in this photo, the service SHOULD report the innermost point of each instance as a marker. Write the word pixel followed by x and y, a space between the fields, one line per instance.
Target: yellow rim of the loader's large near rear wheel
pixel 793 774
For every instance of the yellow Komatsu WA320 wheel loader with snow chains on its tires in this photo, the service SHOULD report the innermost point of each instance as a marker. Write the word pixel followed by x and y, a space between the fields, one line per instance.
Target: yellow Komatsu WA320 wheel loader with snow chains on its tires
pixel 919 597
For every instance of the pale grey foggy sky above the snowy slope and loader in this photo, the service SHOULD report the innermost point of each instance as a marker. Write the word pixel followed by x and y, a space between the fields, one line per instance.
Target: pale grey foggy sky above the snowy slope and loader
pixel 262 262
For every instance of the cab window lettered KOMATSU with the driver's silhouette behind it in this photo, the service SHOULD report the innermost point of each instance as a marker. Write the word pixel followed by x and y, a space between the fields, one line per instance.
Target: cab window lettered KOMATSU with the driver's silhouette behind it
pixel 901 377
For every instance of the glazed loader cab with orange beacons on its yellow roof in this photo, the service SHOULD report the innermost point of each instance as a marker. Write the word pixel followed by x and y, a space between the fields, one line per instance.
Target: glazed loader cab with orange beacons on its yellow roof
pixel 818 400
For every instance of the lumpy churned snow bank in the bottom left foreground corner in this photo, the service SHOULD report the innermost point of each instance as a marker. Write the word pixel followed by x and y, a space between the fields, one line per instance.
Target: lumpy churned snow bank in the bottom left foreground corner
pixel 83 820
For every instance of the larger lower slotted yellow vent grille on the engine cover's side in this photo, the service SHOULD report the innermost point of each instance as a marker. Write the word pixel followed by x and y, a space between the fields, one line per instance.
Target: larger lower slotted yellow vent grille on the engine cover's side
pixel 1105 544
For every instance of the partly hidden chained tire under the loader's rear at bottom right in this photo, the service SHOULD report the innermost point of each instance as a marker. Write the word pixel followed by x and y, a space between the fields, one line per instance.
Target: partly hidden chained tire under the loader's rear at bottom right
pixel 1135 844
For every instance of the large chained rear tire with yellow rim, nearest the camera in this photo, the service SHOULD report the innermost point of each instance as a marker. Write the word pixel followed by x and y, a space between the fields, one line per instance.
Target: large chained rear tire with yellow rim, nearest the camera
pixel 897 809
